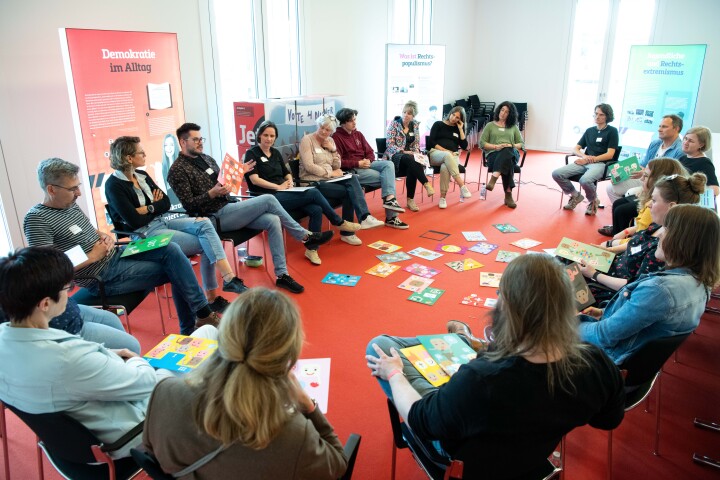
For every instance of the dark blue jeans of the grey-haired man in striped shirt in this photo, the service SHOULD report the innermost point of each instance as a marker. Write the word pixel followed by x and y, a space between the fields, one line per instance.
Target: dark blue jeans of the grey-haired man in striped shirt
pixel 147 270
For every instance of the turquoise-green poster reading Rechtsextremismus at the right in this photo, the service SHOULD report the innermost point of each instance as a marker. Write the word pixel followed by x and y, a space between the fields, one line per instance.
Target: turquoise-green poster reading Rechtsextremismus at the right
pixel 661 80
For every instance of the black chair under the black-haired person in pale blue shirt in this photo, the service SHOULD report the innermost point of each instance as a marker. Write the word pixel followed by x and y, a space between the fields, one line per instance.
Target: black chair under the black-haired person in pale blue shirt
pixel 75 451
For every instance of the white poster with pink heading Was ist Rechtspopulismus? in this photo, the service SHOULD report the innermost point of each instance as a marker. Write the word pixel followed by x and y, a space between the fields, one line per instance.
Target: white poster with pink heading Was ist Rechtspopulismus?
pixel 415 72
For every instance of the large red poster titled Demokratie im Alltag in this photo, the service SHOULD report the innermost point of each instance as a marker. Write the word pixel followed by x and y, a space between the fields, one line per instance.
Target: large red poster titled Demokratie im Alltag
pixel 124 83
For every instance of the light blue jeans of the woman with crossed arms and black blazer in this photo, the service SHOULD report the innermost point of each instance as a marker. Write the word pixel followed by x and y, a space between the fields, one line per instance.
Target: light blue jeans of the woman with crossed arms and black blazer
pixel 194 236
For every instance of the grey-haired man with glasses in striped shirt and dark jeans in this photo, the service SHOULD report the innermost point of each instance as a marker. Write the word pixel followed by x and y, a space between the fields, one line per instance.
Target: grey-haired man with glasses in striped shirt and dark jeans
pixel 59 222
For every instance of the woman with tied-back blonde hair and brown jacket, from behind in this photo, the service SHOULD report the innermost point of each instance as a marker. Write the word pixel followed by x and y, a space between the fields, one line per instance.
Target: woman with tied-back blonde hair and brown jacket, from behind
pixel 244 404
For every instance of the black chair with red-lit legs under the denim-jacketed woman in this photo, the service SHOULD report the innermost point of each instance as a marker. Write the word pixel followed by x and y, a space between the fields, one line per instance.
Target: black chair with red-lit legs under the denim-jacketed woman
pixel 642 370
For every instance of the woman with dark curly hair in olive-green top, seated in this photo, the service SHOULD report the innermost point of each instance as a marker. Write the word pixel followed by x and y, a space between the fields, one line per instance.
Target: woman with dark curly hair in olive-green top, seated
pixel 502 140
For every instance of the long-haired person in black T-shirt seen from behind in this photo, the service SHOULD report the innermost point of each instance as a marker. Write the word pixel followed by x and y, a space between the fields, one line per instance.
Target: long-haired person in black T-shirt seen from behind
pixel 504 412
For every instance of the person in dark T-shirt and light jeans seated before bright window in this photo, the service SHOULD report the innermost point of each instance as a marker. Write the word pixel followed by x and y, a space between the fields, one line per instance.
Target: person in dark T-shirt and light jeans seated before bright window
pixel 597 146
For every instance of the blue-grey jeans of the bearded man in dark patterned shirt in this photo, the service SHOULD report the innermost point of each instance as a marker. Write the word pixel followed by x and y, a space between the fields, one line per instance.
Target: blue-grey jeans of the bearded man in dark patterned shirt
pixel 263 213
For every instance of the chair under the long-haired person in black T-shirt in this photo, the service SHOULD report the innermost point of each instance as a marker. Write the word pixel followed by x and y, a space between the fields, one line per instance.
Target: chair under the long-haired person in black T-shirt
pixel 437 466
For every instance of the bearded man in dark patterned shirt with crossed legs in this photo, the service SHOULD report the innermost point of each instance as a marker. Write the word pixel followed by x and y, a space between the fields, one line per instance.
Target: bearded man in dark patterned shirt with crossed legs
pixel 194 178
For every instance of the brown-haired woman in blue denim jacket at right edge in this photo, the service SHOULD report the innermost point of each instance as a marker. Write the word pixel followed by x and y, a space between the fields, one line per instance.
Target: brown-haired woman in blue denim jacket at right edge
pixel 662 304
